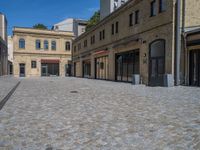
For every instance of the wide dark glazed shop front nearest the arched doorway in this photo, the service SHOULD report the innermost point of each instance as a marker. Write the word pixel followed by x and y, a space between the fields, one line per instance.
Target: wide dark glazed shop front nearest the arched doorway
pixel 127 64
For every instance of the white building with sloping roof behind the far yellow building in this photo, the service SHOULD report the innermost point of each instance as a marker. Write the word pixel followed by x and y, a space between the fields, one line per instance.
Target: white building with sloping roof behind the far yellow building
pixel 77 26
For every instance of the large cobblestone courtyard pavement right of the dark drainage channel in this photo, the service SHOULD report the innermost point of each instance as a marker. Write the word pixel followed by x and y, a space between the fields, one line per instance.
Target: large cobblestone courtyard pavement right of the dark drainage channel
pixel 70 113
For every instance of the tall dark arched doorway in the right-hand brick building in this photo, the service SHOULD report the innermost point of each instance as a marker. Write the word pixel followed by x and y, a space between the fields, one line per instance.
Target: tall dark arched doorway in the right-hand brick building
pixel 157 63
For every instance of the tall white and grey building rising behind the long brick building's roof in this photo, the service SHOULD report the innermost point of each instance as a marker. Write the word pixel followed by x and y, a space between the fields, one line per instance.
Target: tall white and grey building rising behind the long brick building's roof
pixel 108 6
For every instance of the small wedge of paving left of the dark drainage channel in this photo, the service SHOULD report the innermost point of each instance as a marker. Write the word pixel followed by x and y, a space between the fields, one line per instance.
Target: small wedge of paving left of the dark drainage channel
pixel 6 84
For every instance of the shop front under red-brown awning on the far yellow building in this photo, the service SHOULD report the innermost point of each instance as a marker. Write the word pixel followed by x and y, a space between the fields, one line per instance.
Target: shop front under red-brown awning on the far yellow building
pixel 50 67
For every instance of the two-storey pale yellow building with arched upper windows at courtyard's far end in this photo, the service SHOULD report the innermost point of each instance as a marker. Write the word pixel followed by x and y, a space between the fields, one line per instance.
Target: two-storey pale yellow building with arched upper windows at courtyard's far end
pixel 41 52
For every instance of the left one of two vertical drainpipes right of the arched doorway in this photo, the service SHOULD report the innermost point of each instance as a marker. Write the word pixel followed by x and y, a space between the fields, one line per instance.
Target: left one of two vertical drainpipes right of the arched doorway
pixel 178 41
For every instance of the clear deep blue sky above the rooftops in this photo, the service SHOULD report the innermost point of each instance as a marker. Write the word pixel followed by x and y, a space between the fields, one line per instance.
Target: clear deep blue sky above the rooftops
pixel 26 13
